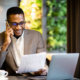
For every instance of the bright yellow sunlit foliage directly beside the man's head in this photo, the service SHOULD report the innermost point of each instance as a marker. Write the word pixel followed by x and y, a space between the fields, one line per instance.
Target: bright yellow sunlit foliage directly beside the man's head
pixel 33 13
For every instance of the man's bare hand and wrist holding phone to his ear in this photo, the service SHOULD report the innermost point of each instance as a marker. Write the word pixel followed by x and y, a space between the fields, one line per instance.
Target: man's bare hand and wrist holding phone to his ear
pixel 8 35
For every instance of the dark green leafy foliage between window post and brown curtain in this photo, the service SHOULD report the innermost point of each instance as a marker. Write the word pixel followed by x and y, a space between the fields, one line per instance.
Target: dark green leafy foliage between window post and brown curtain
pixel 56 25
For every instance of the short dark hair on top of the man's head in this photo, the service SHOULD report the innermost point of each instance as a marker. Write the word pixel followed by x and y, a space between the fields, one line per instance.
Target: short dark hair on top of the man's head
pixel 14 10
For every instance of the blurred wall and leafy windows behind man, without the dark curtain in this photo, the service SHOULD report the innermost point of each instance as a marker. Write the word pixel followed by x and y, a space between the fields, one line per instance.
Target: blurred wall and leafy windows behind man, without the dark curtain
pixel 46 16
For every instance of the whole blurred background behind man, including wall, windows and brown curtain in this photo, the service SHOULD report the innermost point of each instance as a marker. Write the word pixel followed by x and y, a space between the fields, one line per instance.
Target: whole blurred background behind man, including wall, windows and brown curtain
pixel 57 20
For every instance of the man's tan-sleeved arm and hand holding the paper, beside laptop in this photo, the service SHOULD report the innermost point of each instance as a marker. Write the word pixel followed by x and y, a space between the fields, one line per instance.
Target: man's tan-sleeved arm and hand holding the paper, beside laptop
pixel 40 48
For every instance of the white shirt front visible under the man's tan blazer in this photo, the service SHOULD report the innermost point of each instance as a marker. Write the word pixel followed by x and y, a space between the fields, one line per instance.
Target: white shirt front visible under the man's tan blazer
pixel 18 46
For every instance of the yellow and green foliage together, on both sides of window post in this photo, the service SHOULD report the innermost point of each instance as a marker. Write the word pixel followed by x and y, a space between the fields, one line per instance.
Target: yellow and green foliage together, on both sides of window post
pixel 56 21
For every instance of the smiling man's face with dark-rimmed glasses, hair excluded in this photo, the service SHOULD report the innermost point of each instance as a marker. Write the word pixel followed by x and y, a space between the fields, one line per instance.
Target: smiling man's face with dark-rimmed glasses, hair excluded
pixel 13 20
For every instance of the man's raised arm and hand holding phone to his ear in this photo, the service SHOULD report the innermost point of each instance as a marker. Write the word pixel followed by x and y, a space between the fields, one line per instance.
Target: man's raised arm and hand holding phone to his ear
pixel 7 40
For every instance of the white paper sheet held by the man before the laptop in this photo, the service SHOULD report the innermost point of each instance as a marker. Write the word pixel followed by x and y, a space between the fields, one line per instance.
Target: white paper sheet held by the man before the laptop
pixel 32 62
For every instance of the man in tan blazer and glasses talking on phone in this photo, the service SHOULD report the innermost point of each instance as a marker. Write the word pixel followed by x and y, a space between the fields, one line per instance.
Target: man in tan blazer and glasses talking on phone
pixel 16 41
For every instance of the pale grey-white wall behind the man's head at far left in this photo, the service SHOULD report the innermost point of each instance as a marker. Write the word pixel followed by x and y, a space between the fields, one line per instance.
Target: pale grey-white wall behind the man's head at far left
pixel 4 5
